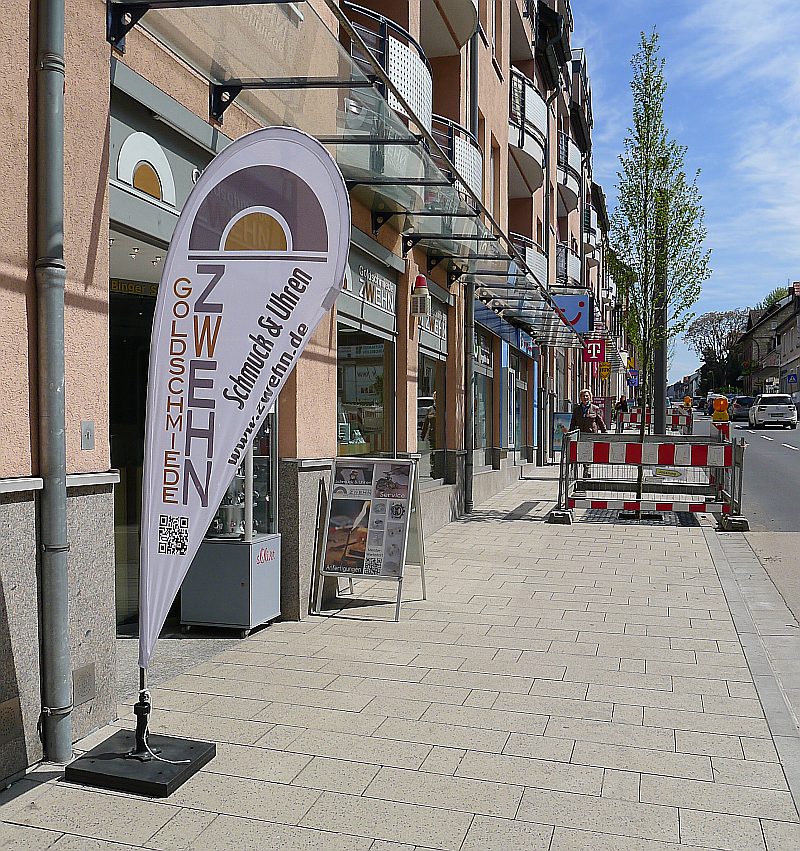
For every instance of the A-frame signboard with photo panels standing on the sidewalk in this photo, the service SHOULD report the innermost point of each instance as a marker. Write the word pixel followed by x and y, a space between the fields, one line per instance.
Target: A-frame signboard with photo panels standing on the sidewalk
pixel 373 525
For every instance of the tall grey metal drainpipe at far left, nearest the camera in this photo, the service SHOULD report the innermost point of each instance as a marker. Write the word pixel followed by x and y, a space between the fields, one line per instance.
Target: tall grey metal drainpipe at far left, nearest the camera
pixel 56 665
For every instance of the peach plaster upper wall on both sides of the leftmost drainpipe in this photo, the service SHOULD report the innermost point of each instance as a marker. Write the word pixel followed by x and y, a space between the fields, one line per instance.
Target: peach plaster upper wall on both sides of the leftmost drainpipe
pixel 85 243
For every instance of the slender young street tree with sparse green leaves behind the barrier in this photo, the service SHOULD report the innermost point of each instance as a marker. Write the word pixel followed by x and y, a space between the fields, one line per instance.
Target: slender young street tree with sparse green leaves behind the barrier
pixel 657 257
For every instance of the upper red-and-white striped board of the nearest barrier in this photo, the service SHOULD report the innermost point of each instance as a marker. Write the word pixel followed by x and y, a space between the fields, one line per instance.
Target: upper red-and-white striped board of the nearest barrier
pixel 661 454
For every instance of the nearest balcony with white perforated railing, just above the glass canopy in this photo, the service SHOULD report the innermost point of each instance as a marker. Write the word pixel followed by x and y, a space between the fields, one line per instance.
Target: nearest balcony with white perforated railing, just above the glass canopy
pixel 400 56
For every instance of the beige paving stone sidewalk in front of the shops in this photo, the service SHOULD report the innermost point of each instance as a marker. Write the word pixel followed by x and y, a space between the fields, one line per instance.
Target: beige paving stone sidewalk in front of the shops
pixel 576 687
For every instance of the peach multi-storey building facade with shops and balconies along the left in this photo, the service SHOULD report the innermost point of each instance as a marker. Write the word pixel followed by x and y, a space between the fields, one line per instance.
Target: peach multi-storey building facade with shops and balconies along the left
pixel 463 129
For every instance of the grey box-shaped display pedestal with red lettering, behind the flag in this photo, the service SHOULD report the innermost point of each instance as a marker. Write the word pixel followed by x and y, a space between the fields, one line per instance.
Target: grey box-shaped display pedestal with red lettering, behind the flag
pixel 233 584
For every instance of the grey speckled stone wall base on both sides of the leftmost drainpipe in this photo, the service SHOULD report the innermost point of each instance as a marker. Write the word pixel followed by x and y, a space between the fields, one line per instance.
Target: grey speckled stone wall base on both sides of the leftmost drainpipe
pixel 92 621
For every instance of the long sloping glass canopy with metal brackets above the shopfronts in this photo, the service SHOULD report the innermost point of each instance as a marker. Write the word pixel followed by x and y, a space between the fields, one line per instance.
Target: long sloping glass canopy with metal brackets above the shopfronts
pixel 283 64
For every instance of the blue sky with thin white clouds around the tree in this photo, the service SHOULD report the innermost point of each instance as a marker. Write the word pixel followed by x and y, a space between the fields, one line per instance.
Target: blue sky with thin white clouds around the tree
pixel 733 98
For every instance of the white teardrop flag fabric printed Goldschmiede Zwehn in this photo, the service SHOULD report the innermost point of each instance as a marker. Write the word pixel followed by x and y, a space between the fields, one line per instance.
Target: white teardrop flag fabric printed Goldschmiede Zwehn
pixel 257 258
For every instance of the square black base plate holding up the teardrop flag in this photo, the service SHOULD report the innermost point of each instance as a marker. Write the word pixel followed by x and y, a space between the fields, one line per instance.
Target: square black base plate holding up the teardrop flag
pixel 108 765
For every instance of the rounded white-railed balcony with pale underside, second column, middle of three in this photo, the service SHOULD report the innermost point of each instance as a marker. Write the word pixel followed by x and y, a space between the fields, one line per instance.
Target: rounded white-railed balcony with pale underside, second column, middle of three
pixel 527 134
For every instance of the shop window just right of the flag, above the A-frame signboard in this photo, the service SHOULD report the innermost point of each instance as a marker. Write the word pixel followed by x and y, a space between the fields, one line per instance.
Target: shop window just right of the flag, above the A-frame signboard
pixel 365 391
